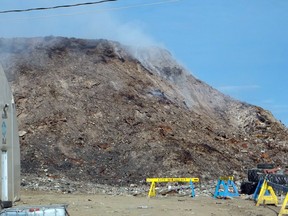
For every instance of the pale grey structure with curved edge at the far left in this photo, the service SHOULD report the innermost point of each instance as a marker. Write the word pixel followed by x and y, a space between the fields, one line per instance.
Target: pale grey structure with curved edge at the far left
pixel 9 144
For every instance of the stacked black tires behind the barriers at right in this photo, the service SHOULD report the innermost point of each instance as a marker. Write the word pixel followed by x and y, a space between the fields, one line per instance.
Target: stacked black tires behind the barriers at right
pixel 256 174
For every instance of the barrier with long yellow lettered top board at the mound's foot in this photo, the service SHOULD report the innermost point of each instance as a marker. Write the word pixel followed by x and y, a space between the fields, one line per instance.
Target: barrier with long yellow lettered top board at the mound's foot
pixel 152 191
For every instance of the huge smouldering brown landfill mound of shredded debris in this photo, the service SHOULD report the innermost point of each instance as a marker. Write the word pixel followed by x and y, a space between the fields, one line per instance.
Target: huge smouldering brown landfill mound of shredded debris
pixel 101 112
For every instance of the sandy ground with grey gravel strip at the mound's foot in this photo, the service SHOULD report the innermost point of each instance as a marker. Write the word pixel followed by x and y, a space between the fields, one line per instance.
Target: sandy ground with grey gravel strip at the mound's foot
pixel 171 199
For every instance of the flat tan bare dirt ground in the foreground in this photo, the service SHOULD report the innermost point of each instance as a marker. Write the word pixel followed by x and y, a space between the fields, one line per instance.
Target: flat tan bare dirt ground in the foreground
pixel 100 204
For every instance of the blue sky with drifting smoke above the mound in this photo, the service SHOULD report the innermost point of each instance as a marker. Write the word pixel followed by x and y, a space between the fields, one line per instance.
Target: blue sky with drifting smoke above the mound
pixel 239 47
